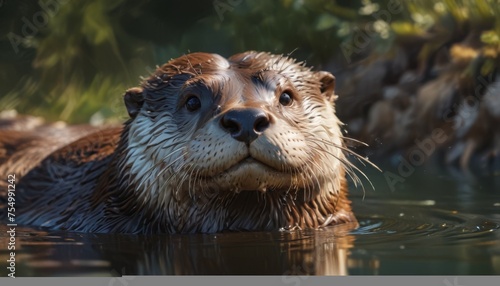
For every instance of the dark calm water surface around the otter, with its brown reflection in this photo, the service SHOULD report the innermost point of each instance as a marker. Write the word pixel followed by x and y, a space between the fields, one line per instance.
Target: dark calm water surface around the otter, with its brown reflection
pixel 435 222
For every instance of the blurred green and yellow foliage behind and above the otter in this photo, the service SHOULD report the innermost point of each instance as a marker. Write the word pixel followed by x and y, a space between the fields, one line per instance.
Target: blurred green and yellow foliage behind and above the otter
pixel 78 63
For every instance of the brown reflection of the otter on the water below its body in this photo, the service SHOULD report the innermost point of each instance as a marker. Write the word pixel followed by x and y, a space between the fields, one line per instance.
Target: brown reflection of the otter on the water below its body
pixel 288 253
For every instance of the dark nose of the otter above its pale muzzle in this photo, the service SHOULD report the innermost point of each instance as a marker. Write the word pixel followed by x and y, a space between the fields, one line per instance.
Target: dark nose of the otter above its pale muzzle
pixel 245 125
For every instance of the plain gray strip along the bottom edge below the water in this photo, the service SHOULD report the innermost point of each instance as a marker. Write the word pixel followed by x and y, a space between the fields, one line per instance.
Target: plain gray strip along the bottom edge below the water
pixel 260 280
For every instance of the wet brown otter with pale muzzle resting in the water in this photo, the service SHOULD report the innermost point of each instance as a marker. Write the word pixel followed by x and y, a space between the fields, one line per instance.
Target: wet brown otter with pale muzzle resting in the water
pixel 245 143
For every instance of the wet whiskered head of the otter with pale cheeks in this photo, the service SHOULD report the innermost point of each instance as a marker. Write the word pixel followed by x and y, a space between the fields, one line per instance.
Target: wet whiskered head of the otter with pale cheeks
pixel 205 130
